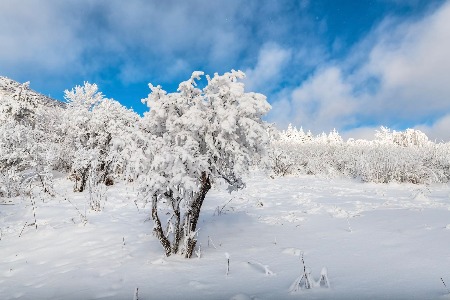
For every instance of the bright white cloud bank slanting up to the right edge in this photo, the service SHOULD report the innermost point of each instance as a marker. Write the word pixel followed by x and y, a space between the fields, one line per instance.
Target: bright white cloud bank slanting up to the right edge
pixel 402 80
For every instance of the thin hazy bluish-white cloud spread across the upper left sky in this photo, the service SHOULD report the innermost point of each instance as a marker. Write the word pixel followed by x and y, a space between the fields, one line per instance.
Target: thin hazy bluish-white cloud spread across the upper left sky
pixel 65 38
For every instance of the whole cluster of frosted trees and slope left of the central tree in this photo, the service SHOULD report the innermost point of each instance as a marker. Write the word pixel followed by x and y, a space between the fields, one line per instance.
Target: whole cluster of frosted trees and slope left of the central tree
pixel 85 137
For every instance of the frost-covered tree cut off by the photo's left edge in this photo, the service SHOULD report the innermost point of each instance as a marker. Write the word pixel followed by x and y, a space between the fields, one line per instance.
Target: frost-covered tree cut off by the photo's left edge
pixel 26 156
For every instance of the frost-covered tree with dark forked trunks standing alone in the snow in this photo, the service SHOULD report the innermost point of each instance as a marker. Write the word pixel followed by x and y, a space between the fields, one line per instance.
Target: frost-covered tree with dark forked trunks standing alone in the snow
pixel 191 139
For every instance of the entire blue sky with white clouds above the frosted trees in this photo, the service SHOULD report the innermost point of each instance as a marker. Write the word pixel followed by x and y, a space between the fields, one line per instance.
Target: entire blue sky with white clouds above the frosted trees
pixel 350 65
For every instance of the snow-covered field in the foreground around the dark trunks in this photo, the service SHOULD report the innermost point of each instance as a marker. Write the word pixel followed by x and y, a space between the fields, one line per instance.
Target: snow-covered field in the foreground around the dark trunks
pixel 377 241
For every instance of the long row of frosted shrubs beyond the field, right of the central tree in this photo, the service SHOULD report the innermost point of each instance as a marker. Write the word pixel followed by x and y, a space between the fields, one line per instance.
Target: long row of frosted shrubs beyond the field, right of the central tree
pixel 405 156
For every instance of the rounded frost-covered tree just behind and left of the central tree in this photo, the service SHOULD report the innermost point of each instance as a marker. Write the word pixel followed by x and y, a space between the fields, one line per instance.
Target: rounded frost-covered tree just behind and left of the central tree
pixel 94 131
